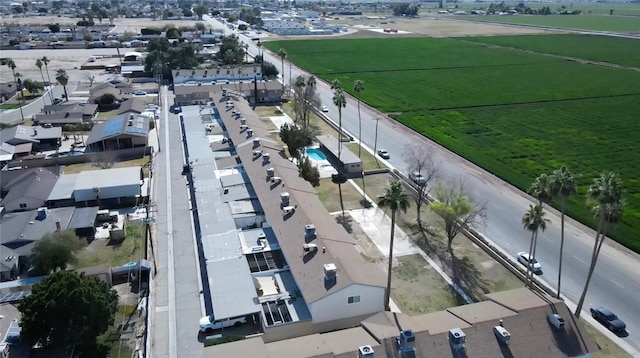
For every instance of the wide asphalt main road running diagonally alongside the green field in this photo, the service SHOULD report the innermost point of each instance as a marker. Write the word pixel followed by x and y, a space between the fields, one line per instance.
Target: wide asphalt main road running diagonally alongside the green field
pixel 616 281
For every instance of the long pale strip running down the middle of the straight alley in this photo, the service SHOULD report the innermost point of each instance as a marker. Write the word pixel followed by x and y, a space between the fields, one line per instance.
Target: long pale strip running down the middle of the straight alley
pixel 173 346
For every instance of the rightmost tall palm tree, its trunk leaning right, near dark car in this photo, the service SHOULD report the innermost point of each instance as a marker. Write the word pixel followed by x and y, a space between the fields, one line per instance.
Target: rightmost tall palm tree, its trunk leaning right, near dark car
pixel 606 192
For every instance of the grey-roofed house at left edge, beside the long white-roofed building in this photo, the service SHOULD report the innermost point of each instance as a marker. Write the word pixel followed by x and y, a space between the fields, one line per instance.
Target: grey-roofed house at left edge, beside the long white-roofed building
pixel 27 189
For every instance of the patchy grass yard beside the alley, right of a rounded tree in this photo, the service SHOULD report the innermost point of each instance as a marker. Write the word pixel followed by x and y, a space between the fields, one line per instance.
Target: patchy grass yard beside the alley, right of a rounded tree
pixel 101 251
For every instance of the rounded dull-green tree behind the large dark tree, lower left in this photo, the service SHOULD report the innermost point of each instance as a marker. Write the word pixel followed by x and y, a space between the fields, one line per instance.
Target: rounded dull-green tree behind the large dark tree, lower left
pixel 54 251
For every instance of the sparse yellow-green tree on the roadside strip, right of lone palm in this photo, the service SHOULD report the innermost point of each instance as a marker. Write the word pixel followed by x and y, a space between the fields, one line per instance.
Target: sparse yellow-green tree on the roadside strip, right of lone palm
pixel 456 209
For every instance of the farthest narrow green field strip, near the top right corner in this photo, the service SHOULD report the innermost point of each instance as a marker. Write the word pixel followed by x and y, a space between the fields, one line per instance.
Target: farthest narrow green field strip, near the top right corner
pixel 577 22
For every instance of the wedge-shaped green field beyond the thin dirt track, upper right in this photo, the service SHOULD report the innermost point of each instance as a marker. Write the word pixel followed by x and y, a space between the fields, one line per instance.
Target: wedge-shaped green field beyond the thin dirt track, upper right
pixel 616 50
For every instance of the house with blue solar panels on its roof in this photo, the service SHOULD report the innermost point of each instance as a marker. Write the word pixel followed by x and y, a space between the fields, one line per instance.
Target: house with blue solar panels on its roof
pixel 126 131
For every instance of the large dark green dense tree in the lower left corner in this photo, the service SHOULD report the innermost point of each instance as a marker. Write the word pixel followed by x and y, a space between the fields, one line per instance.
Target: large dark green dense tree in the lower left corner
pixel 68 311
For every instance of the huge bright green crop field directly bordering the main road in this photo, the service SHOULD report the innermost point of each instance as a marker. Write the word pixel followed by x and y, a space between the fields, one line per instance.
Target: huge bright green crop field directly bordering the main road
pixel 515 114
